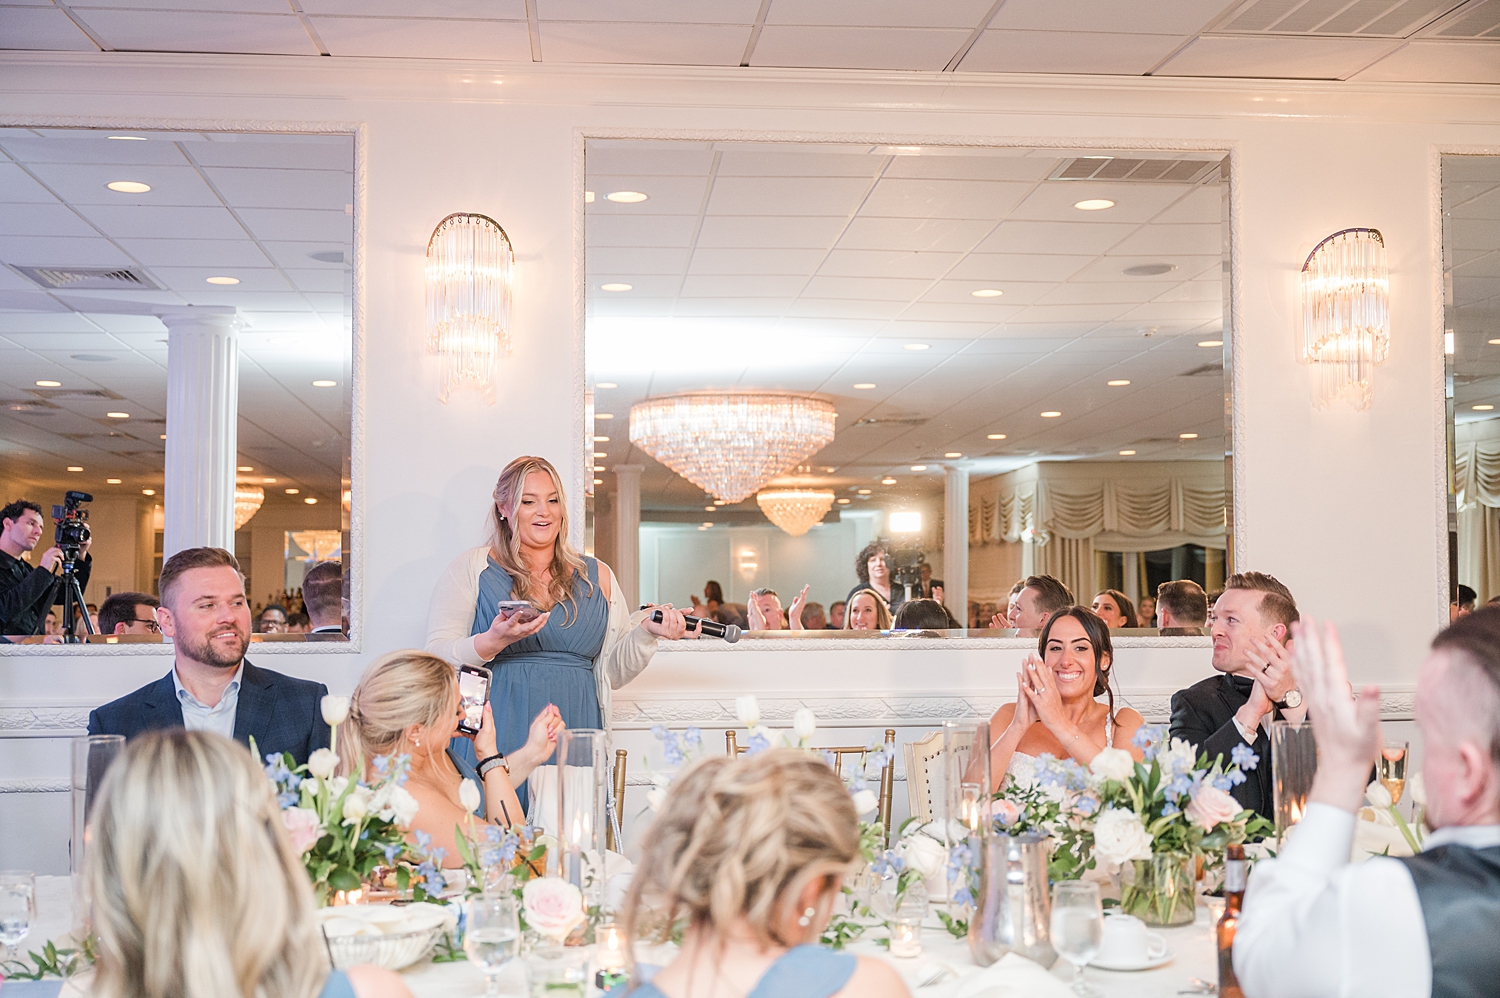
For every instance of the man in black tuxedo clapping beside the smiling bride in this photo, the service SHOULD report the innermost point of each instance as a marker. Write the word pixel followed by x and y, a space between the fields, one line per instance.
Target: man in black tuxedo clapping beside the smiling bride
pixel 1252 628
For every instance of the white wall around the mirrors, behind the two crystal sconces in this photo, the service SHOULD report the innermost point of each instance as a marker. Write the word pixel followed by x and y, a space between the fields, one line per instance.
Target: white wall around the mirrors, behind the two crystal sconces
pixel 1340 505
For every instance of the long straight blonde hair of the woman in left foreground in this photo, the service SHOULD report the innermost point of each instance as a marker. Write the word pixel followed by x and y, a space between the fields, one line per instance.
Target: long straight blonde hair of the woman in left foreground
pixel 196 889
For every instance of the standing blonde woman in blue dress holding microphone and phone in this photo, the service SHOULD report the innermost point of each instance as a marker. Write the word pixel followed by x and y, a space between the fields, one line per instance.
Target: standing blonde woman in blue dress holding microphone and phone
pixel 584 643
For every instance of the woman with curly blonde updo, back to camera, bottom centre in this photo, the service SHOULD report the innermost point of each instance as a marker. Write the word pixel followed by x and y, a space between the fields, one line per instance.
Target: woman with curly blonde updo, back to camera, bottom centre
pixel 752 853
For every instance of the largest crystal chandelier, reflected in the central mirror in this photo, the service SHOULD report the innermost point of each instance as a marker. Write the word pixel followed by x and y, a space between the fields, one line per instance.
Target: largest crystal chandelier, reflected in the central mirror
pixel 733 443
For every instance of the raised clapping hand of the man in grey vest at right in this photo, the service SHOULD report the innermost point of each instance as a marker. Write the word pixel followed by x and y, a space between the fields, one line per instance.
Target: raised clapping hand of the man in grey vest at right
pixel 1348 730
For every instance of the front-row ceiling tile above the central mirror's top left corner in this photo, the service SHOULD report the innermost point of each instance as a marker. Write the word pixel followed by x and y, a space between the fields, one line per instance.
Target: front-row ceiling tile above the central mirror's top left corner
pixel 635 43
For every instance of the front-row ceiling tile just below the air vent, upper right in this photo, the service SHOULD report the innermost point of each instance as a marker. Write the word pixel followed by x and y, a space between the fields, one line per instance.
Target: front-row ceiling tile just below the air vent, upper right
pixel 1276 58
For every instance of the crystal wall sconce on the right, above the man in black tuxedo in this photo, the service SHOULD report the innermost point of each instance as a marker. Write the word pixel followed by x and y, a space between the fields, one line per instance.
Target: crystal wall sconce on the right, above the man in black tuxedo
pixel 1346 314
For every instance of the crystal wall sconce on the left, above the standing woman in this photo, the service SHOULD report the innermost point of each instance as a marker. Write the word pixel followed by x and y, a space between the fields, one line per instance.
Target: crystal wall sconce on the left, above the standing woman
pixel 469 301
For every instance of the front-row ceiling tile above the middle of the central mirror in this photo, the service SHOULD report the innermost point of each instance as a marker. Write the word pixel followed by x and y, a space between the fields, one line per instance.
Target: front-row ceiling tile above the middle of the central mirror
pixel 859 47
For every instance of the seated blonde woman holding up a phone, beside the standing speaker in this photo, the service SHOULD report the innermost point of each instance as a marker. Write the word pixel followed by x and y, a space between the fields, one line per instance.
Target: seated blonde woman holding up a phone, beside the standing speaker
pixel 409 703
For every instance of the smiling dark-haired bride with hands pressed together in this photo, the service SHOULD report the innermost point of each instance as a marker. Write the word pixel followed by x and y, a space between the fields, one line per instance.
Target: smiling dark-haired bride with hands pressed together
pixel 1057 711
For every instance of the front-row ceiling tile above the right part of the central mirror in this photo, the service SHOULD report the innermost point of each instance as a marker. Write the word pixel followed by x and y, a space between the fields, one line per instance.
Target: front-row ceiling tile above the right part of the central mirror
pixel 1097 53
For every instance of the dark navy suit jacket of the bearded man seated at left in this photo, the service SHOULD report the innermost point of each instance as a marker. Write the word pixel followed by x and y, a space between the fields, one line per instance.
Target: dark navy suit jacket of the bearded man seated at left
pixel 283 714
